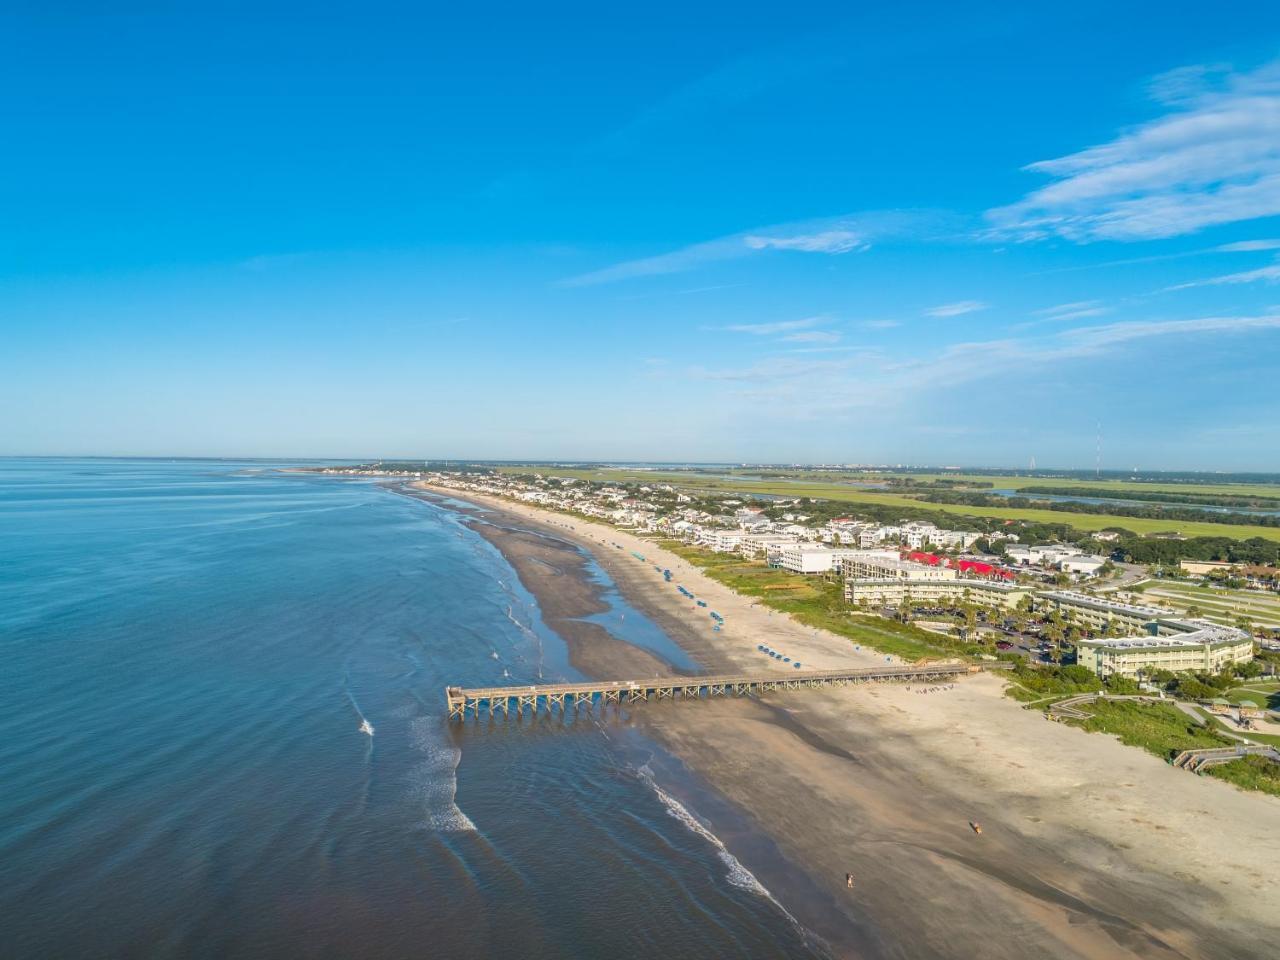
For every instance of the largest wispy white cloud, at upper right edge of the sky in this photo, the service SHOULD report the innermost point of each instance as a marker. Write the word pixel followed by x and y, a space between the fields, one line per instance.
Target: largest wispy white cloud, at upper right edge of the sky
pixel 1214 159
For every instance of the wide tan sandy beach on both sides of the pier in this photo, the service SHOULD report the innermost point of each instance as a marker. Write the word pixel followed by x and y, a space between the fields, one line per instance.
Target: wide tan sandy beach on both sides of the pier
pixel 1090 849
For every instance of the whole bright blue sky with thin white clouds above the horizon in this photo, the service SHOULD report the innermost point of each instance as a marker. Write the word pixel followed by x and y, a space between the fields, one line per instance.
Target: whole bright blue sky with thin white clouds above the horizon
pixel 944 234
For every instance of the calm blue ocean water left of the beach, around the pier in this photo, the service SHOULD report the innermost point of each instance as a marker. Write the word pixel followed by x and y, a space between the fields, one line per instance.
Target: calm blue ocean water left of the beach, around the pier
pixel 190 651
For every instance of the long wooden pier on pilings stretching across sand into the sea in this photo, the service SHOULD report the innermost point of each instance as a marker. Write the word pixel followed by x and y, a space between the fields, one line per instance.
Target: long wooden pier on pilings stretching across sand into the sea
pixel 518 700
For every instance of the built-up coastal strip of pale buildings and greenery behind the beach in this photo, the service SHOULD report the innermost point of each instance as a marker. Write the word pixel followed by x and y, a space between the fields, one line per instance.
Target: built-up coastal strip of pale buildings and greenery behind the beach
pixel 1071 621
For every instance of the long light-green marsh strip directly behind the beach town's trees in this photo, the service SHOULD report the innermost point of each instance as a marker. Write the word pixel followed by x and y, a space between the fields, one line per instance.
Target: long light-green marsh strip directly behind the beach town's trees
pixel 830 491
